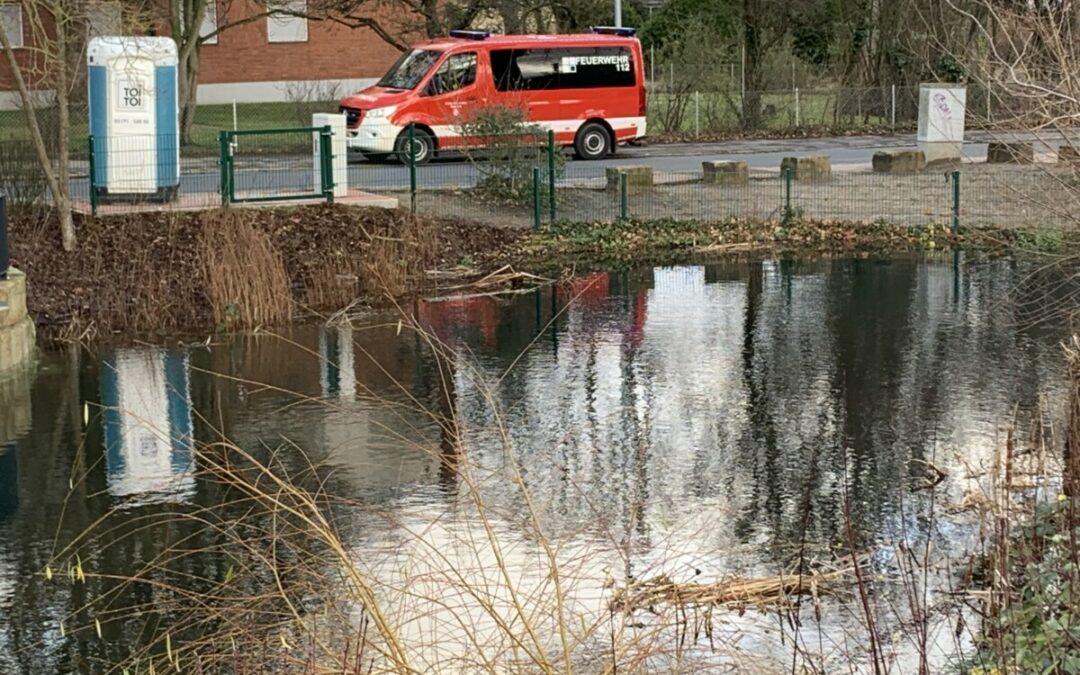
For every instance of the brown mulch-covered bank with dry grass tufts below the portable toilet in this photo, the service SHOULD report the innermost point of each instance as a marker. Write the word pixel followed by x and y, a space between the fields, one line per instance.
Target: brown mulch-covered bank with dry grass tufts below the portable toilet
pixel 142 275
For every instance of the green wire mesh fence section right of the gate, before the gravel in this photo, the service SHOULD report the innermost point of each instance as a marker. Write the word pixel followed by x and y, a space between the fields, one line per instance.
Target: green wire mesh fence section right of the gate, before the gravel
pixel 588 193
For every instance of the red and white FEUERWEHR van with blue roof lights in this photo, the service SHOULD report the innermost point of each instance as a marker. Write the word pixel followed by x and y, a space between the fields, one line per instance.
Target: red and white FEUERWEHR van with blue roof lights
pixel 589 89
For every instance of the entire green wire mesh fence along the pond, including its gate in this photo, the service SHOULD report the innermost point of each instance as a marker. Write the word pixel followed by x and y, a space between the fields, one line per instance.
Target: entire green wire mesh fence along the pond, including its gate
pixel 520 183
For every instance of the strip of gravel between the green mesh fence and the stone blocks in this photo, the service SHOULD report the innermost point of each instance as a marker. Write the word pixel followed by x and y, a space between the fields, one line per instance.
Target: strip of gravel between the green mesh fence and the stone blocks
pixel 990 196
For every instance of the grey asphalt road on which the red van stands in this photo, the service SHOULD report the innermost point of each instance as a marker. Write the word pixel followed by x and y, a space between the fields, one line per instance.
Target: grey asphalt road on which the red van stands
pixel 275 175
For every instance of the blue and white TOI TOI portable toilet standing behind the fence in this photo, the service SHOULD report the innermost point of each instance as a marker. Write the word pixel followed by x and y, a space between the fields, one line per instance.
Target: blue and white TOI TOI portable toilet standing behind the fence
pixel 134 118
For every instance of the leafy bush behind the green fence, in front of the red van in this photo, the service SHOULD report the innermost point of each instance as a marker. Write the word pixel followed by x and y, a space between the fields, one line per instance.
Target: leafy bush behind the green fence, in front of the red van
pixel 505 148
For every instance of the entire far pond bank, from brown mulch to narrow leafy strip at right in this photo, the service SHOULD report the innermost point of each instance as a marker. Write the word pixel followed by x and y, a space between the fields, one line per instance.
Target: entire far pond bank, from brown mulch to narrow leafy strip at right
pixel 145 275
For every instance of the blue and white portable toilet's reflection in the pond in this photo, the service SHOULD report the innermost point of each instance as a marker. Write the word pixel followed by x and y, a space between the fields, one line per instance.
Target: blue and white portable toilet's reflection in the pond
pixel 148 435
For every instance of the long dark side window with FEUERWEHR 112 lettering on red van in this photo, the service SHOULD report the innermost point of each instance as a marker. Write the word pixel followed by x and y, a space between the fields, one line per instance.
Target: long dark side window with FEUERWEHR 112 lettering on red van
pixel 562 69
